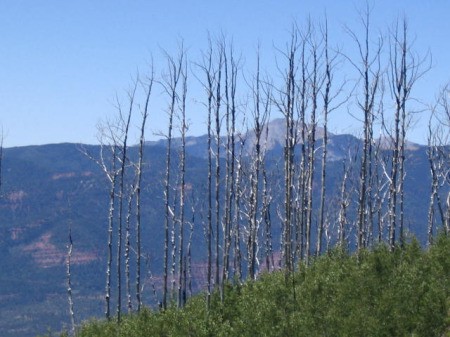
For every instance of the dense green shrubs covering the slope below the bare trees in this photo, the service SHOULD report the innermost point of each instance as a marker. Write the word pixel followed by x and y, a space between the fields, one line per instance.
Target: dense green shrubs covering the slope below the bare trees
pixel 374 293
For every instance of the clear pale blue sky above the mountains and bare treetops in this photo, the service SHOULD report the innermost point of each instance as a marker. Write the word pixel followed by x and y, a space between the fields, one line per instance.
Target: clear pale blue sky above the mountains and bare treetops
pixel 63 62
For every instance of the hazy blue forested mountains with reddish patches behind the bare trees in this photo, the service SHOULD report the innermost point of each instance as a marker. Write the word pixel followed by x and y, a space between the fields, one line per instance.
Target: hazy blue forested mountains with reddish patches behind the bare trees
pixel 52 189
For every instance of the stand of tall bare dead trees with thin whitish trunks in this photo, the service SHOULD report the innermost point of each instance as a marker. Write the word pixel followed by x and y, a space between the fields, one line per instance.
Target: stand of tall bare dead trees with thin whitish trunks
pixel 241 204
